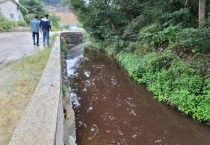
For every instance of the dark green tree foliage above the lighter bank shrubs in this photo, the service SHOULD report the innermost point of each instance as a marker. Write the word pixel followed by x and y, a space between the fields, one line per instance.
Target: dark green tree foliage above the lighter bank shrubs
pixel 108 19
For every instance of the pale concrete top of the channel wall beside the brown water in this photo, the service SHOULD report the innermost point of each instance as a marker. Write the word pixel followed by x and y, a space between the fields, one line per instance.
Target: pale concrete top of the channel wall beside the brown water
pixel 42 121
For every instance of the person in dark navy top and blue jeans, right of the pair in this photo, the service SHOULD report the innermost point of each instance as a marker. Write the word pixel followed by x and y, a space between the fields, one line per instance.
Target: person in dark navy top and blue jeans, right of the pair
pixel 45 26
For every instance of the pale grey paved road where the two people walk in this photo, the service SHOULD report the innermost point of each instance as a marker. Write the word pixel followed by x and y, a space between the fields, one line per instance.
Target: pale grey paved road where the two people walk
pixel 14 45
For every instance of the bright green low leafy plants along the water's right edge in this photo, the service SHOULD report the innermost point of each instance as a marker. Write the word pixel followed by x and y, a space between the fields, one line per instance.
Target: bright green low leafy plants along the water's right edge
pixel 172 81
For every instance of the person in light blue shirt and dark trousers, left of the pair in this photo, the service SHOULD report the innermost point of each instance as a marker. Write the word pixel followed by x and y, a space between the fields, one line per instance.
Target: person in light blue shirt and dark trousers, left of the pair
pixel 34 27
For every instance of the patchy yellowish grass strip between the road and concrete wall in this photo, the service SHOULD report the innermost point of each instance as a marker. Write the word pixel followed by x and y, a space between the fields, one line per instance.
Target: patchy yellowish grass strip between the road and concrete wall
pixel 19 81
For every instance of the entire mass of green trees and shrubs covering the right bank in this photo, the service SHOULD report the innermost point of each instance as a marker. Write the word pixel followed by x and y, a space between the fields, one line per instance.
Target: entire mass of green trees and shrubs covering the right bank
pixel 159 44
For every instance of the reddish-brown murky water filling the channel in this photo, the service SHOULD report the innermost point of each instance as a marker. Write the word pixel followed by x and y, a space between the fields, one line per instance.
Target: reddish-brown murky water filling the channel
pixel 111 109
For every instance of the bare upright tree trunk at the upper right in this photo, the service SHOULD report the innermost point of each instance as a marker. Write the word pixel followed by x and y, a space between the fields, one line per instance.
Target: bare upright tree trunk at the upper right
pixel 202 5
